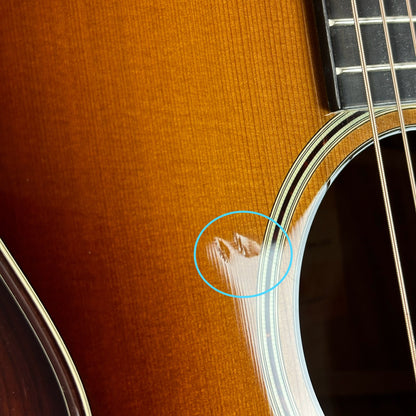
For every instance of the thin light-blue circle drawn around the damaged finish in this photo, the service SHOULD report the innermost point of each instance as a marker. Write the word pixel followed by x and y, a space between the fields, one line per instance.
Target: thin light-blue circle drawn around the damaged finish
pixel 243 296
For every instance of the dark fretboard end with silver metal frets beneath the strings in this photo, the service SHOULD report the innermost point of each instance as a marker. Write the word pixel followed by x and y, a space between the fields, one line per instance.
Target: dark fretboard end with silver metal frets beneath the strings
pixel 339 47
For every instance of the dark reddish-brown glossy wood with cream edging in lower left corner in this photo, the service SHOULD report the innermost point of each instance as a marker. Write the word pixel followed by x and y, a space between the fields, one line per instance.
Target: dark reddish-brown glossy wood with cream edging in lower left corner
pixel 38 377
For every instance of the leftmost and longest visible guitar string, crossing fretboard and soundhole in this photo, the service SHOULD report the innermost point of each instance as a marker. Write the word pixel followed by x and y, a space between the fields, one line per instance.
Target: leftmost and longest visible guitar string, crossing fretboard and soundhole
pixel 390 222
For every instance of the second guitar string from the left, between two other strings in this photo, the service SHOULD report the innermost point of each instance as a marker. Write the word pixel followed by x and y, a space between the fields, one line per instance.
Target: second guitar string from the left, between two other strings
pixel 398 102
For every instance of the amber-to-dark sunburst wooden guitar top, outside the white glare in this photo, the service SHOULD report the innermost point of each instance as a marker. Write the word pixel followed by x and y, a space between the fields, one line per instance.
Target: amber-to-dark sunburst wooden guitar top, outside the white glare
pixel 126 127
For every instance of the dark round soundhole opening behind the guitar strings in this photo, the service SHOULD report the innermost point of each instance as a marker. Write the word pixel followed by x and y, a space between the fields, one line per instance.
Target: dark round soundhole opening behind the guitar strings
pixel 352 325
